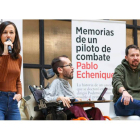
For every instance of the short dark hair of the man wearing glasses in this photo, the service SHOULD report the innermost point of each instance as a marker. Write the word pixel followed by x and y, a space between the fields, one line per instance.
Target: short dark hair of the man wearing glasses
pixel 57 62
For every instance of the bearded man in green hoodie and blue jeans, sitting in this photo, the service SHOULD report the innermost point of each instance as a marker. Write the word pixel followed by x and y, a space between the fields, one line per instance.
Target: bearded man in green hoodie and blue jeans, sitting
pixel 126 84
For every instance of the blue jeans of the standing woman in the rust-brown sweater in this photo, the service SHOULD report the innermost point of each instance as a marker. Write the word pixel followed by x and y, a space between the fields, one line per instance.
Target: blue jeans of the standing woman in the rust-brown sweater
pixel 8 107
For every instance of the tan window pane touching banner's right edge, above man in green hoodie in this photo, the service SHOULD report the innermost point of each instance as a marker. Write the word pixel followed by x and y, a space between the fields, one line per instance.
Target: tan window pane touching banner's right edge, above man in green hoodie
pixel 129 37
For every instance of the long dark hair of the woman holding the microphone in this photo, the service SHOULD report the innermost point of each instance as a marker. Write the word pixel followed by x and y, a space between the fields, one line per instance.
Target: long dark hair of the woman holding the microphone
pixel 16 44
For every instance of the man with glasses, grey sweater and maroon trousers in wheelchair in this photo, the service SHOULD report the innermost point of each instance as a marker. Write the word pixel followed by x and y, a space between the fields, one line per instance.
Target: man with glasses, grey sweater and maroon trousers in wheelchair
pixel 60 89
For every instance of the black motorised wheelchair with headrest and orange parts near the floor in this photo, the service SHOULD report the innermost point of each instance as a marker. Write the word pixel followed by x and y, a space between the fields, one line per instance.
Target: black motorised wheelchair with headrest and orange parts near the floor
pixel 50 110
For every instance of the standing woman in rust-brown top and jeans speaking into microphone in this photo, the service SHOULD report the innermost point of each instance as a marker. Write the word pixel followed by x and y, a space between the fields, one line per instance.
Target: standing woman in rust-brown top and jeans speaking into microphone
pixel 10 67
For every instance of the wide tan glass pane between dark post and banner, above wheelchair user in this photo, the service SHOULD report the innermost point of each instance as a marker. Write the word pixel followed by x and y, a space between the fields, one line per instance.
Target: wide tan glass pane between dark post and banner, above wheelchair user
pixel 57 39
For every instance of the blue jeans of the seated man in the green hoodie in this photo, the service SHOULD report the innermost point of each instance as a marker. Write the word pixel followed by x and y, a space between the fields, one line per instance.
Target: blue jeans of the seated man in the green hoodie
pixel 127 110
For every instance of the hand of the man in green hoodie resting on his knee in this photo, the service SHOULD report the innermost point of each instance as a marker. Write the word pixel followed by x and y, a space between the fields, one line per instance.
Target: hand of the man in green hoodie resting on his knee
pixel 127 97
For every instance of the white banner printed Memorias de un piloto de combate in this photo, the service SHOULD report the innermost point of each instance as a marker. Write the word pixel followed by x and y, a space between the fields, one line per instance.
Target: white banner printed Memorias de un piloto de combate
pixel 97 48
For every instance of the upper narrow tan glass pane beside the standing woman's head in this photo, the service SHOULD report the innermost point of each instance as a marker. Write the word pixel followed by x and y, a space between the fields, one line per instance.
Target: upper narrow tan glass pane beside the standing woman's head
pixel 31 41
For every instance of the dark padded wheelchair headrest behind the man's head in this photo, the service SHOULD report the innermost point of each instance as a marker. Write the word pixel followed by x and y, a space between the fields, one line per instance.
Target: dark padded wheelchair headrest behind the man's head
pixel 47 74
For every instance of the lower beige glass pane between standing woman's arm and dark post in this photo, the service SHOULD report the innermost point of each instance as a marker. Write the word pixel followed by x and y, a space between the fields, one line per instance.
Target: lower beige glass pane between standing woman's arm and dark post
pixel 31 77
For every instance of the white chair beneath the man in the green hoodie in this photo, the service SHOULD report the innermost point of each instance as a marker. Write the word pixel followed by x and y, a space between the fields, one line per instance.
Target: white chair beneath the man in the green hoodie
pixel 114 117
